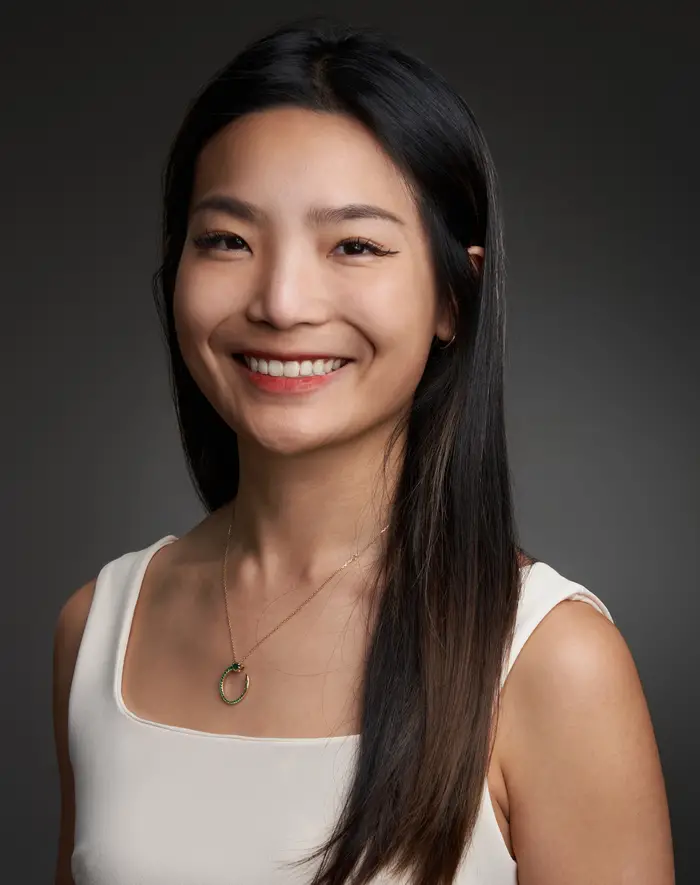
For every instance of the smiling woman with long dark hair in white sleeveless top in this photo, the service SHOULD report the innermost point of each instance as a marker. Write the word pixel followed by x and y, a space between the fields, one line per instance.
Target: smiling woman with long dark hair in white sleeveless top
pixel 327 679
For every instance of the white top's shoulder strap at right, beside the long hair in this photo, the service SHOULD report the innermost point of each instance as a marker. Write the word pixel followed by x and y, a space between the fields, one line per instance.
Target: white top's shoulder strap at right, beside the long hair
pixel 542 588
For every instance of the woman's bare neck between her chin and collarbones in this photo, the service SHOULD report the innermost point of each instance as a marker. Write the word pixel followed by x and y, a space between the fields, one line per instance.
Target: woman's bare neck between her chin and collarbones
pixel 303 516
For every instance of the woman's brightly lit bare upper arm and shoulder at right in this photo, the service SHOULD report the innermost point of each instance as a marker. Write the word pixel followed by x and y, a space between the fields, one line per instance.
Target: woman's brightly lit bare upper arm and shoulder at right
pixel 586 794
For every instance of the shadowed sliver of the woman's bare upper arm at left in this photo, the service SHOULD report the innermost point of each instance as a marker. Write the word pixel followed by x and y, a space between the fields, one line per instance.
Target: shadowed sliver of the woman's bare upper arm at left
pixel 68 633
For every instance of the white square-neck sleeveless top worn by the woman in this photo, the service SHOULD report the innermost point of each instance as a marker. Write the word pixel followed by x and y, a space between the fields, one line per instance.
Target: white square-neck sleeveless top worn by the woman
pixel 163 805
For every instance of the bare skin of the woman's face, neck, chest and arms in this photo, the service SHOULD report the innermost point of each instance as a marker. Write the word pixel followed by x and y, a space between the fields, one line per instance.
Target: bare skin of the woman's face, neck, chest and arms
pixel 575 777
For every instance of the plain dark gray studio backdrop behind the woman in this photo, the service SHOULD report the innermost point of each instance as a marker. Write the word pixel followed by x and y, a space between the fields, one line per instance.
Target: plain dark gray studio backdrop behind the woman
pixel 591 116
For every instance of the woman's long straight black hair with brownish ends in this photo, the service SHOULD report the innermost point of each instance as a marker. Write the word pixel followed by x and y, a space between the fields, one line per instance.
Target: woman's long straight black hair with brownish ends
pixel 450 575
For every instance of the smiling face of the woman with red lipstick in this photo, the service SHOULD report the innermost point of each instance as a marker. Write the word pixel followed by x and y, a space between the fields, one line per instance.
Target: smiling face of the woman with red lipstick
pixel 304 303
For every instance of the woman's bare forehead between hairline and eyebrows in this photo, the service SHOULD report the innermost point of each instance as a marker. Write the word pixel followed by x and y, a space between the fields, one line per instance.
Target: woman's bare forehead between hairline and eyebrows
pixel 294 156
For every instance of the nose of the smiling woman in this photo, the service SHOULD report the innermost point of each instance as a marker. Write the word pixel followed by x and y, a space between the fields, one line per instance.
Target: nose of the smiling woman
pixel 289 291
